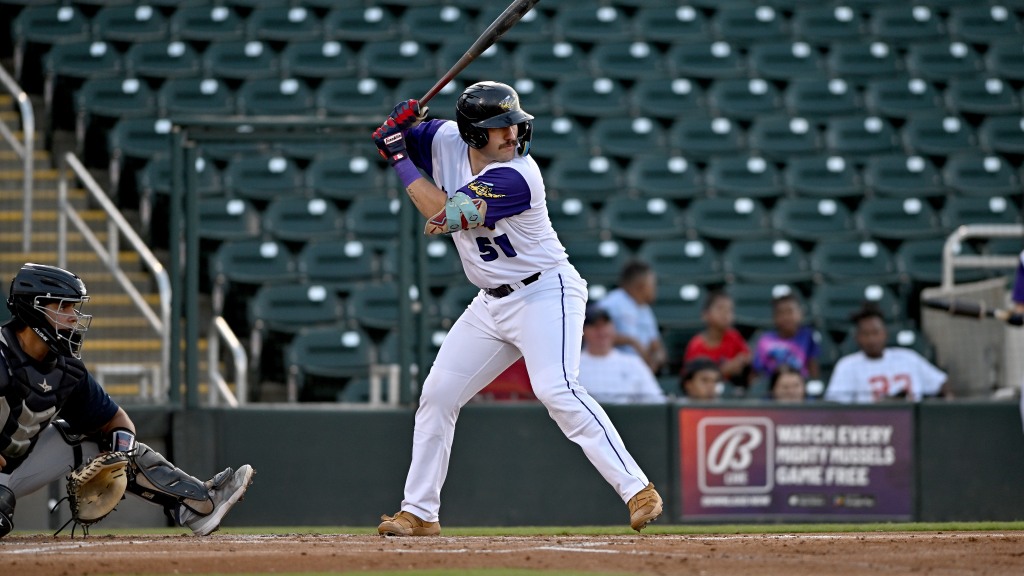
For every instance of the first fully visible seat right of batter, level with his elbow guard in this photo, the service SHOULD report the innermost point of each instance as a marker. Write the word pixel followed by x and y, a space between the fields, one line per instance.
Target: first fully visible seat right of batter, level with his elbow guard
pixel 642 219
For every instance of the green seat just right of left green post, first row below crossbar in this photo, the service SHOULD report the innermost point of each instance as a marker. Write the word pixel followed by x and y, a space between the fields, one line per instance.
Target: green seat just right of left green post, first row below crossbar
pixel 263 178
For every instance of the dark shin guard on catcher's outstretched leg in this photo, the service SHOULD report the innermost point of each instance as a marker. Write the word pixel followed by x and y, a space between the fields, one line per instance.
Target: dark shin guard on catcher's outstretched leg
pixel 159 481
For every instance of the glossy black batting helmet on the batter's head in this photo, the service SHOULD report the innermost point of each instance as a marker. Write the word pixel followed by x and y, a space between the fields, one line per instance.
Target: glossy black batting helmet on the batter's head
pixel 492 105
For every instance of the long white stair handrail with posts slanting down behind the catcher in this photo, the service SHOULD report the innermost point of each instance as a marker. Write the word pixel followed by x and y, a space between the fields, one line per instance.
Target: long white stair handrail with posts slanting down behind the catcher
pixel 117 227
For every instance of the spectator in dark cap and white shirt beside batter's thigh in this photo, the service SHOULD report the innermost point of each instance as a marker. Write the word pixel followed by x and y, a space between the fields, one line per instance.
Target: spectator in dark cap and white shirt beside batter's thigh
pixel 613 377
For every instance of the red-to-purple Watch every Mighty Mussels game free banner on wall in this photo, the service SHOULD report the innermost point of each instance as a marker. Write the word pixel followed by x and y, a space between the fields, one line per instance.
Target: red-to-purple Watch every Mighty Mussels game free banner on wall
pixel 777 464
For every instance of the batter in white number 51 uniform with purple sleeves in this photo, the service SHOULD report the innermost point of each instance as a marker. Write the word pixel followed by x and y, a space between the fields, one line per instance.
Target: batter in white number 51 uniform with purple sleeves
pixel 489 194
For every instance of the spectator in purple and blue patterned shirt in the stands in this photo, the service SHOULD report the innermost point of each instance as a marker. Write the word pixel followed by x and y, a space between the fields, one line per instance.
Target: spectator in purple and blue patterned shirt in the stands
pixel 791 345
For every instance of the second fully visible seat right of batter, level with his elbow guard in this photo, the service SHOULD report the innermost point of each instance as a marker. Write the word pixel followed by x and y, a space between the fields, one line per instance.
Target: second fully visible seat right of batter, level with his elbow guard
pixel 729 219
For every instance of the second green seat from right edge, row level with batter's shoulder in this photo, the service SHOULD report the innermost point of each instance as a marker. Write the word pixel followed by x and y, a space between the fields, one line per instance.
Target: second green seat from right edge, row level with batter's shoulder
pixel 903 177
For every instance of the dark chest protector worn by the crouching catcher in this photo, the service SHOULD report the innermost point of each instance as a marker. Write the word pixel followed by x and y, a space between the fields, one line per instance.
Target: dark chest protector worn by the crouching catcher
pixel 30 396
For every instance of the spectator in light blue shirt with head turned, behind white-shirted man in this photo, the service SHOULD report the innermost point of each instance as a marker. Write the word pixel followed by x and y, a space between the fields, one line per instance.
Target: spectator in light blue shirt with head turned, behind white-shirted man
pixel 629 307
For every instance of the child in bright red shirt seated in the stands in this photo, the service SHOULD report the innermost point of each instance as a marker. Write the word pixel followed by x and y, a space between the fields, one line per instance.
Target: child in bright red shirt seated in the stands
pixel 720 342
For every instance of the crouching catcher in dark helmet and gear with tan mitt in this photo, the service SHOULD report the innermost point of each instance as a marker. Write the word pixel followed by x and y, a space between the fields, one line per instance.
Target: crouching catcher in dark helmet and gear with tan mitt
pixel 93 446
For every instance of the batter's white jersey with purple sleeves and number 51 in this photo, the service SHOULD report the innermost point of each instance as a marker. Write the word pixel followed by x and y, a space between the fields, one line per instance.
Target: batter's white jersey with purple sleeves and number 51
pixel 518 239
